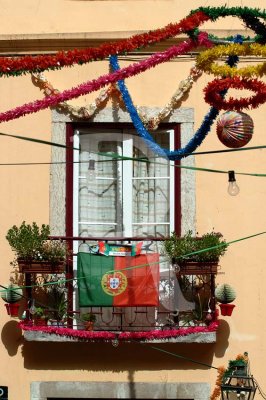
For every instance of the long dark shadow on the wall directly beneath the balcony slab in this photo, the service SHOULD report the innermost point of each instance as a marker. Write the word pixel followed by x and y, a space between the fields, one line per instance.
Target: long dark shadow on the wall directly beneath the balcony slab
pixel 105 357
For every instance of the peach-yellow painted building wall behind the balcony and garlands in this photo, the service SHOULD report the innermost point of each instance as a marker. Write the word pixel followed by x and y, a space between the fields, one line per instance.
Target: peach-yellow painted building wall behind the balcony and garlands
pixel 34 190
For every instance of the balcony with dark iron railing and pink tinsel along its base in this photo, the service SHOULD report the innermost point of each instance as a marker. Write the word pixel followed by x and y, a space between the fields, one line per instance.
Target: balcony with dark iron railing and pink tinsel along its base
pixel 186 311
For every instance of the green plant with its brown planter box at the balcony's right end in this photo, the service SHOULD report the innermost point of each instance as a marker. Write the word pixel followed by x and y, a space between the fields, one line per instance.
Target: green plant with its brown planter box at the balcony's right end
pixel 195 255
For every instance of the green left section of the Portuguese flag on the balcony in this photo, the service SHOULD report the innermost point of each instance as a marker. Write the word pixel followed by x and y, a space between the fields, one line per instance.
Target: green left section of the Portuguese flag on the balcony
pixel 91 268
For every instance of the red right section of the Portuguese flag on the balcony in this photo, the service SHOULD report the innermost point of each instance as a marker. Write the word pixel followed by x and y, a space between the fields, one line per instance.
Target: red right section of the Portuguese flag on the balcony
pixel 142 281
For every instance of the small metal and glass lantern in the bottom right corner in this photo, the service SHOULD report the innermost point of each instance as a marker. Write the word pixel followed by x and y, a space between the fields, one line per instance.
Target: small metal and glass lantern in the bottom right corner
pixel 238 384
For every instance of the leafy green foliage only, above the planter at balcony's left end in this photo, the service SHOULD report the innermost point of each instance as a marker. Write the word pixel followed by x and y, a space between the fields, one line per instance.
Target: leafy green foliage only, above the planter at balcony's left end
pixel 30 243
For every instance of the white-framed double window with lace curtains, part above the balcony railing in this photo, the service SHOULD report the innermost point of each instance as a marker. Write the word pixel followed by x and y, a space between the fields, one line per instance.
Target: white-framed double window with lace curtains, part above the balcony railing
pixel 122 198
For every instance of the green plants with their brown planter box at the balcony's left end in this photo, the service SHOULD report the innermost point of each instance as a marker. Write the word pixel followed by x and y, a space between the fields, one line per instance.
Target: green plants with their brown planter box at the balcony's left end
pixel 34 251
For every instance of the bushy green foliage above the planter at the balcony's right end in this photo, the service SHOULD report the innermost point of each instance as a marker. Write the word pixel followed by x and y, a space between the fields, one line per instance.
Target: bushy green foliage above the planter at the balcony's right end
pixel 177 248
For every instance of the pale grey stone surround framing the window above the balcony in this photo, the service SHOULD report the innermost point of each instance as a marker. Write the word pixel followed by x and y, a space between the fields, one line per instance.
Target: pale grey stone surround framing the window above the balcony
pixel 183 116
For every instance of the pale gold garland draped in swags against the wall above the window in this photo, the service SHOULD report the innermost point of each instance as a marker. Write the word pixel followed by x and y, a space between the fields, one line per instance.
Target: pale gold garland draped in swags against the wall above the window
pixel 89 110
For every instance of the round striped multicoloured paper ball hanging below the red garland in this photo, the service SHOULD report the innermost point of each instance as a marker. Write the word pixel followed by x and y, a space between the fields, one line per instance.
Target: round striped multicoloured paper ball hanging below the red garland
pixel 234 129
